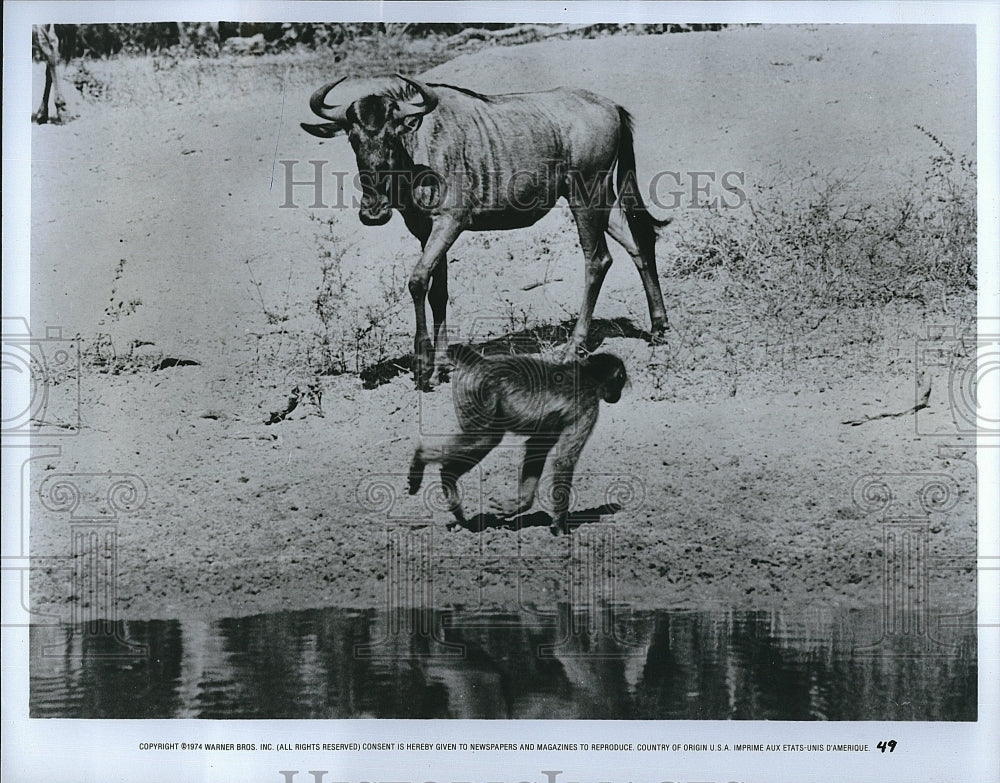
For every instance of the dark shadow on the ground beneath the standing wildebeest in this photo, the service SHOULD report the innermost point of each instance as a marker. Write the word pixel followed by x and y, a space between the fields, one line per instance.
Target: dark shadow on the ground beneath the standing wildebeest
pixel 524 341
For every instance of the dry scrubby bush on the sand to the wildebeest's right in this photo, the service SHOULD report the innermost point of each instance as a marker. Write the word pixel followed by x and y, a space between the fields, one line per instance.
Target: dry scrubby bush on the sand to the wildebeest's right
pixel 810 244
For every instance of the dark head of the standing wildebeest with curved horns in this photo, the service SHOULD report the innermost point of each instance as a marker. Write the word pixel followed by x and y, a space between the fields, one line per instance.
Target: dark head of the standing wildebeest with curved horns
pixel 375 125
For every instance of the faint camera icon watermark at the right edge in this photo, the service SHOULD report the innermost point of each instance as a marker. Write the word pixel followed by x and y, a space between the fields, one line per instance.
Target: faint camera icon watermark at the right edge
pixel 967 365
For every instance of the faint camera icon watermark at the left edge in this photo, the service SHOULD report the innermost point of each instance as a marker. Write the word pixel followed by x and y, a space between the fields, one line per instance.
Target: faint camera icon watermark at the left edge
pixel 41 379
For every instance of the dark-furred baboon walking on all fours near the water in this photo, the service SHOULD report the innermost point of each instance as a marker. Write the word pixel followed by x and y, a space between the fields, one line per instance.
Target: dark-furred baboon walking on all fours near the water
pixel 555 405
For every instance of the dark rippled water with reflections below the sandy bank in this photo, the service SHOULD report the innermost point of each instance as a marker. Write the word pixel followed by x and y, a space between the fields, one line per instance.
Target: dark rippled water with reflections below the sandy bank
pixel 611 663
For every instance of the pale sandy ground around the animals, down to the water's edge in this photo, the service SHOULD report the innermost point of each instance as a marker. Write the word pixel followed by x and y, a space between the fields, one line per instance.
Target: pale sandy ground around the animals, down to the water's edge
pixel 727 460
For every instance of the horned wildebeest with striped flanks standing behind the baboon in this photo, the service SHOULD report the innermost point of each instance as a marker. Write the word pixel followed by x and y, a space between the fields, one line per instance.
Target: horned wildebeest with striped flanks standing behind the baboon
pixel 451 160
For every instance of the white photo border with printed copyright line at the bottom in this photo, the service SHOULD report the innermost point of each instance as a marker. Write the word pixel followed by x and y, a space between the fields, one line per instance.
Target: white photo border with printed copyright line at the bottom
pixel 101 750
